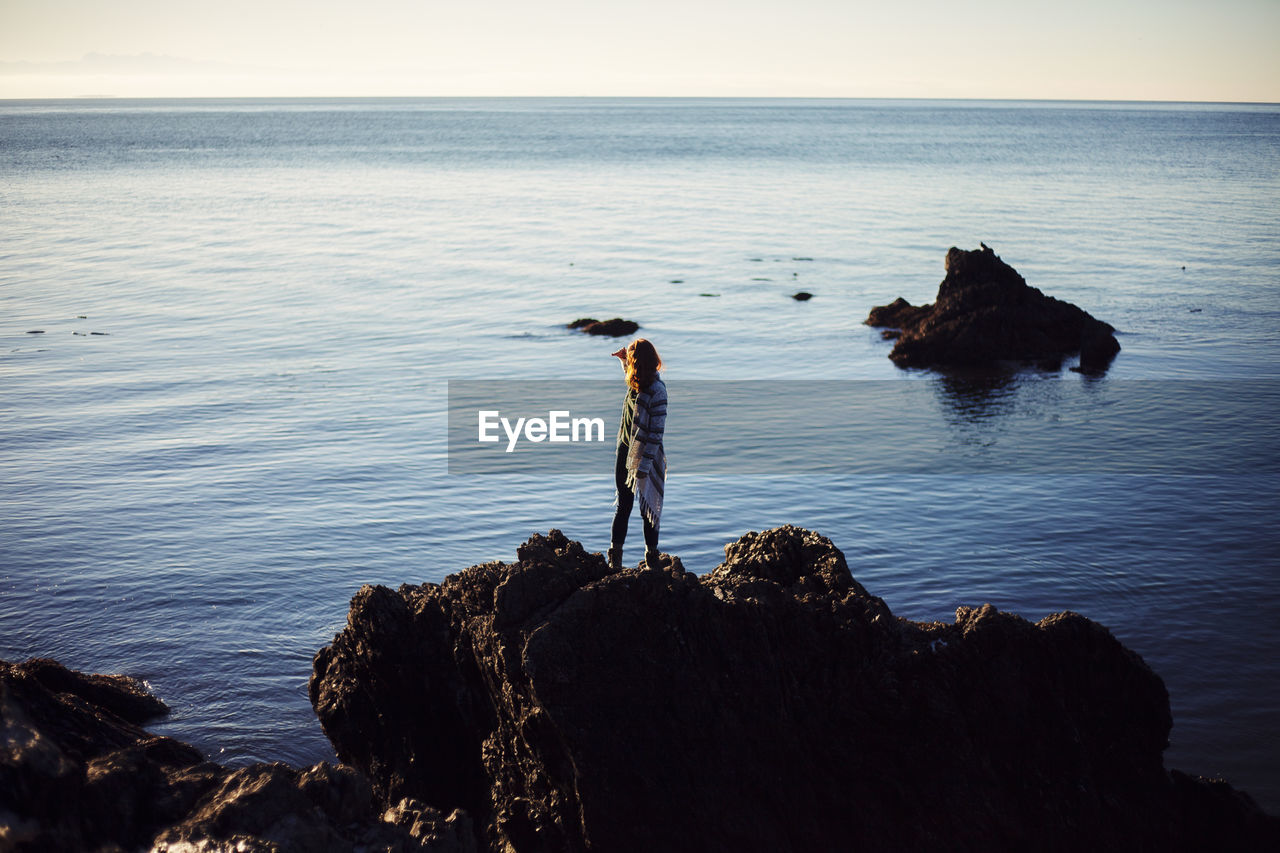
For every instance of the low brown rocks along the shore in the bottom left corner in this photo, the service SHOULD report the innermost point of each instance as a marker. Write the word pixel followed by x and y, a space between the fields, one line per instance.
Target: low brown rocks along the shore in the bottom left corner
pixel 79 773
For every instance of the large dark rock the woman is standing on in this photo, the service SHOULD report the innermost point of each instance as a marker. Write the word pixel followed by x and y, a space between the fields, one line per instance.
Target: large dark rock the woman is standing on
pixel 772 705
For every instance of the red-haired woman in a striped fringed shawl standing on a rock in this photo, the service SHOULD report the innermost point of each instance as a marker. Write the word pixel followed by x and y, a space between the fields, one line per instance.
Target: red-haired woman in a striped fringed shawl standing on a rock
pixel 642 467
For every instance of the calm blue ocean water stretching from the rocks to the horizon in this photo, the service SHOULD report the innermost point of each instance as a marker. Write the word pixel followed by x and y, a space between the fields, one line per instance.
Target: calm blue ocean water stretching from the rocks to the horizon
pixel 235 410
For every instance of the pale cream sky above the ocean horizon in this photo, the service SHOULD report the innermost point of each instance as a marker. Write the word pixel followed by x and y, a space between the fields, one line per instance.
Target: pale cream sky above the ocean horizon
pixel 1182 51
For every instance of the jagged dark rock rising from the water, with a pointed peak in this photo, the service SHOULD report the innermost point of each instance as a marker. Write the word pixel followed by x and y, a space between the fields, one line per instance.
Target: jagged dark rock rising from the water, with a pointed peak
pixel 986 313
